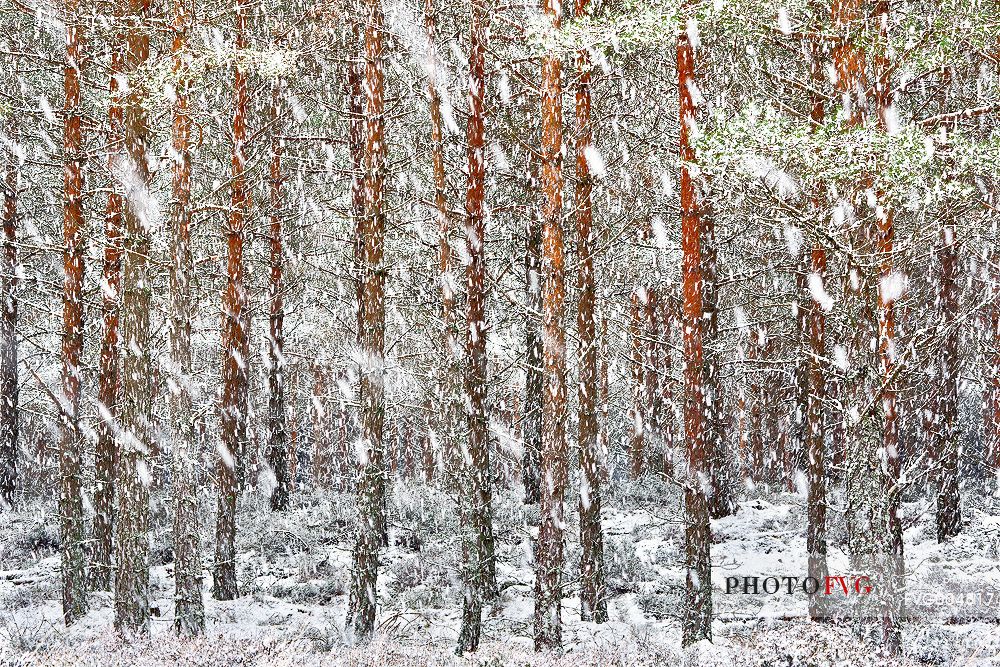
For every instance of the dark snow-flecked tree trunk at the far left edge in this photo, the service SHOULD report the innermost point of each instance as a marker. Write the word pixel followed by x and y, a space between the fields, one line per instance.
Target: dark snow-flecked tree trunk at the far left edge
pixel 9 425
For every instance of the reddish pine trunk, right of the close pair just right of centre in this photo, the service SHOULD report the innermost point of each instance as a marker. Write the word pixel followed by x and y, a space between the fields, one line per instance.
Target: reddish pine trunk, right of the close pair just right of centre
pixel 593 593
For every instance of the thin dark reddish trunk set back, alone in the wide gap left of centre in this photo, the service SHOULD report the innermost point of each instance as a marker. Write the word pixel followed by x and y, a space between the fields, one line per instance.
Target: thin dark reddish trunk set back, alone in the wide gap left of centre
pixel 277 428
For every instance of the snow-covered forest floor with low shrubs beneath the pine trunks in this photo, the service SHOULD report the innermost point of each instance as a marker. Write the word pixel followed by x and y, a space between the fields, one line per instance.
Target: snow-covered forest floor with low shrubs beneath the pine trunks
pixel 294 569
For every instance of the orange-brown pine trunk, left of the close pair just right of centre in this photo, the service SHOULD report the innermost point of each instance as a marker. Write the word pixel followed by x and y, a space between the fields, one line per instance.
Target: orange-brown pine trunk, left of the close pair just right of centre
pixel 554 468
